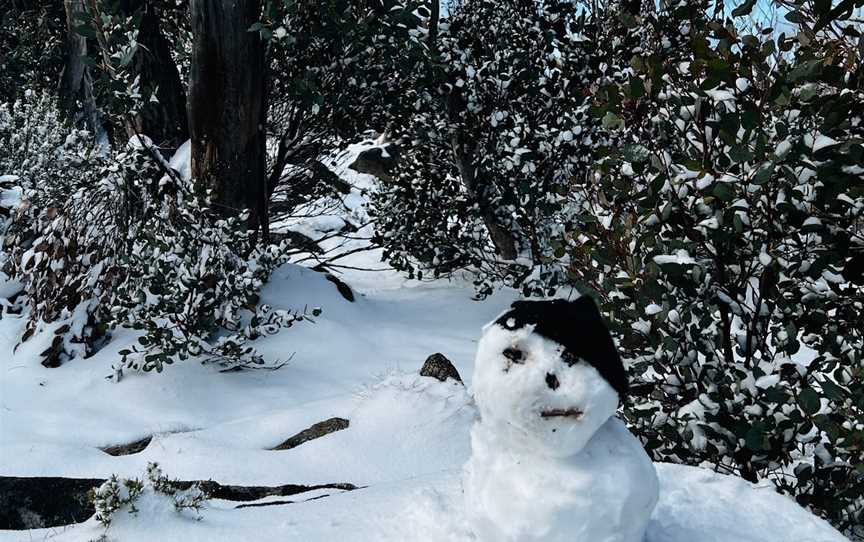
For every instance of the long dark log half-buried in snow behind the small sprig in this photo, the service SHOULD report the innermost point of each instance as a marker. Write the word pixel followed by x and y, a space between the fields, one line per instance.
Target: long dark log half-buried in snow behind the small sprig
pixel 33 503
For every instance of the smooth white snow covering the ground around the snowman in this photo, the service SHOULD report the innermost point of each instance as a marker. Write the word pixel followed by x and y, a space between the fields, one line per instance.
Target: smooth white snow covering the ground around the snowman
pixel 406 444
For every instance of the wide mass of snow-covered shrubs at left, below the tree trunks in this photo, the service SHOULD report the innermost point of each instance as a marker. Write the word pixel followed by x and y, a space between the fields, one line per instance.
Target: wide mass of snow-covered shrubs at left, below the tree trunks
pixel 115 240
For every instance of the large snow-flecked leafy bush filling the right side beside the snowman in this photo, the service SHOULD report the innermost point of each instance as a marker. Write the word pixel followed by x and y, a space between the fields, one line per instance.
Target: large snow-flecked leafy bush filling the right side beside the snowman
pixel 726 241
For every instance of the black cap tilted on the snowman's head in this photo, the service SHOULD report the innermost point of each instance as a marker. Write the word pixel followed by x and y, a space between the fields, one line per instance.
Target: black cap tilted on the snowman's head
pixel 578 327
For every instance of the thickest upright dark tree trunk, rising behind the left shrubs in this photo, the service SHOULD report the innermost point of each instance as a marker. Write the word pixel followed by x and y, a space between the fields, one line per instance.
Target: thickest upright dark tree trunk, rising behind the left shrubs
pixel 228 106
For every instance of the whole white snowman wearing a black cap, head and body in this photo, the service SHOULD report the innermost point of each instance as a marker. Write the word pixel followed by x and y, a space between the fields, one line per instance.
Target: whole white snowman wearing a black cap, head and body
pixel 550 461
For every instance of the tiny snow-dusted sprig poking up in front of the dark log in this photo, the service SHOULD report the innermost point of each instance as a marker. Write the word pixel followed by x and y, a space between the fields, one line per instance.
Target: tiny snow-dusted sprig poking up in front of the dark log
pixel 116 495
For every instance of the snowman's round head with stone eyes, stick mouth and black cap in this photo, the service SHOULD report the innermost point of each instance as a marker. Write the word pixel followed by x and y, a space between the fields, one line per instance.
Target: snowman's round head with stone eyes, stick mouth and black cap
pixel 548 374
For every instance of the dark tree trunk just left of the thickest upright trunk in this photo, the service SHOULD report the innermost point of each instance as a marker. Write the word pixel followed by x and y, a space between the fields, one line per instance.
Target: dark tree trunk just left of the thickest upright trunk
pixel 165 121
